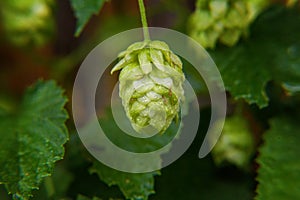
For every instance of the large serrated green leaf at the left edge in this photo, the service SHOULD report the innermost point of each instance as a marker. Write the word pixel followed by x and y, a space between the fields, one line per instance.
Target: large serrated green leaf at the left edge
pixel 32 140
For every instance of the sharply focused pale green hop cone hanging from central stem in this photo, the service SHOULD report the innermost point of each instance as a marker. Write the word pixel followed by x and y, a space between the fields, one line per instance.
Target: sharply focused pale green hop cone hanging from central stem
pixel 150 85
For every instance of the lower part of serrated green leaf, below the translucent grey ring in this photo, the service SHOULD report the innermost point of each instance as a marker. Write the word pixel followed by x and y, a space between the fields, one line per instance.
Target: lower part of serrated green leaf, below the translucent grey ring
pixel 133 186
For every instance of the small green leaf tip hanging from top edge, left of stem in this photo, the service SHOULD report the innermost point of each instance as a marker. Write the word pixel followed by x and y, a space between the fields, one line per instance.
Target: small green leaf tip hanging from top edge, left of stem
pixel 84 11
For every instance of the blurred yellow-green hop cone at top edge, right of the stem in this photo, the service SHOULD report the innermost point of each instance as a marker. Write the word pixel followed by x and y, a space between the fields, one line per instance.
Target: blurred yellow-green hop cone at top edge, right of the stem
pixel 223 20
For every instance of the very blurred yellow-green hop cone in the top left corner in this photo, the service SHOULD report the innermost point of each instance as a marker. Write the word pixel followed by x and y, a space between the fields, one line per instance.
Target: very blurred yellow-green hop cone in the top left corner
pixel 27 22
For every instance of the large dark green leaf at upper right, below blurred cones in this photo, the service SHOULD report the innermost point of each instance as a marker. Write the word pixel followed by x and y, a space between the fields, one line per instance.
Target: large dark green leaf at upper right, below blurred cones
pixel 271 53
